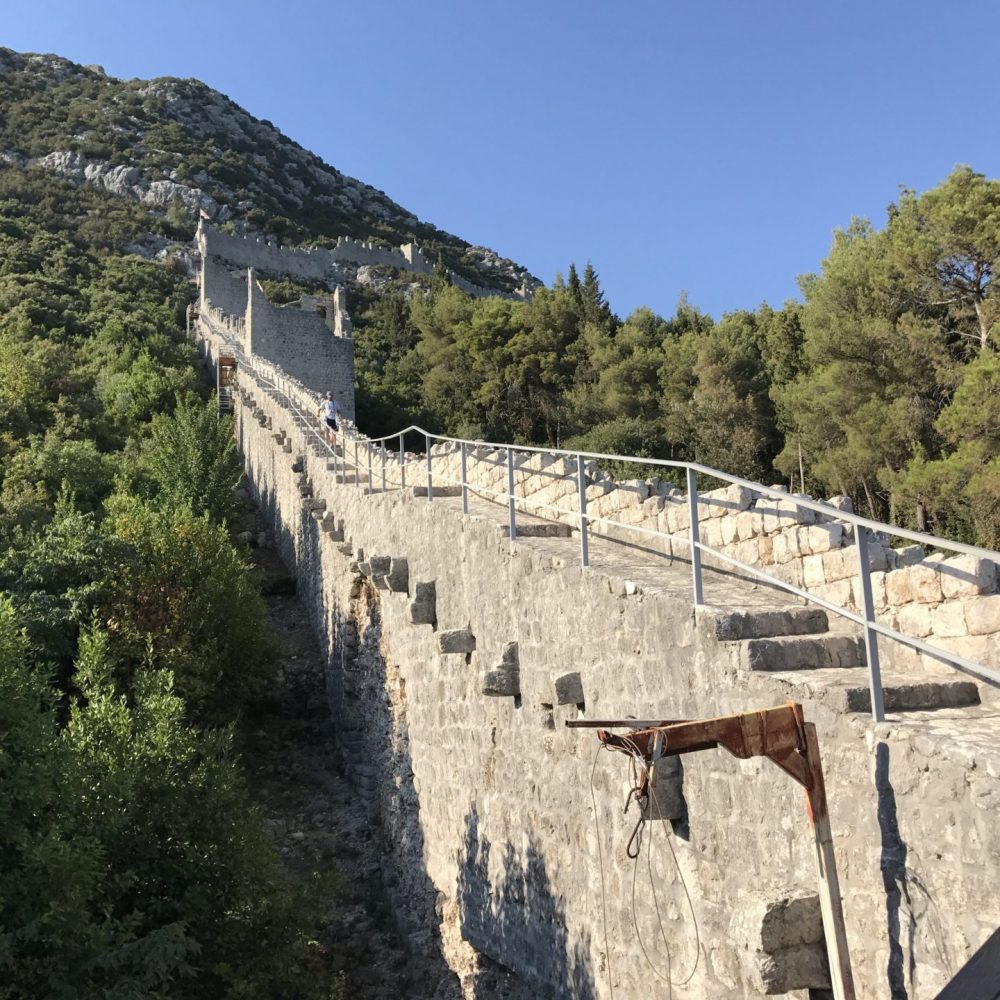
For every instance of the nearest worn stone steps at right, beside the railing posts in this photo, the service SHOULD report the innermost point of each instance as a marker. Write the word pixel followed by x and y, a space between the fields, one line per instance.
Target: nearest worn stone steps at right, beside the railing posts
pixel 795 645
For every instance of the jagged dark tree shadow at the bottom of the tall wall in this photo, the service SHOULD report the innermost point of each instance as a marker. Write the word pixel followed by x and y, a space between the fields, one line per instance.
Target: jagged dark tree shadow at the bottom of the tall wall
pixel 511 915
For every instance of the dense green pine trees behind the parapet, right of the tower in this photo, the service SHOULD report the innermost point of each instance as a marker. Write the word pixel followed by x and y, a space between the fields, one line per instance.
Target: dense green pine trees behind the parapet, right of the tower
pixel 880 384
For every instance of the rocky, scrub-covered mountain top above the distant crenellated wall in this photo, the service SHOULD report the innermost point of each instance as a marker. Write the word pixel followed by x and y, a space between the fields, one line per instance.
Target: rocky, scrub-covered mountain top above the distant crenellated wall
pixel 177 147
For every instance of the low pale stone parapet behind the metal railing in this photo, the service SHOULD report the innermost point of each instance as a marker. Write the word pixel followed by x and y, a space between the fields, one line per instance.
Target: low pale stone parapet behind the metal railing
pixel 951 601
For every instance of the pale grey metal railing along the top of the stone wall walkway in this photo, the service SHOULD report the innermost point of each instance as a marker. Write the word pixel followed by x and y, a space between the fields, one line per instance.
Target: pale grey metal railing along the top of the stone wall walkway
pixel 304 403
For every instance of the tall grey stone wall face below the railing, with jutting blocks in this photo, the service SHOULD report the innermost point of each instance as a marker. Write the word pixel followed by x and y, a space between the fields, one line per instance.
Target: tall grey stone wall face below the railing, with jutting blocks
pixel 453 665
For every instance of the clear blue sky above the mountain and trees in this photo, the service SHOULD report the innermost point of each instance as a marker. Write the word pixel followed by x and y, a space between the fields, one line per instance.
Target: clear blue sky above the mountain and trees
pixel 710 147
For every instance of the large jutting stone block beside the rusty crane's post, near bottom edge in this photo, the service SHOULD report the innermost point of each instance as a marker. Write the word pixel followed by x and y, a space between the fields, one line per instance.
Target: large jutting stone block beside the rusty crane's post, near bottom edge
pixel 779 940
